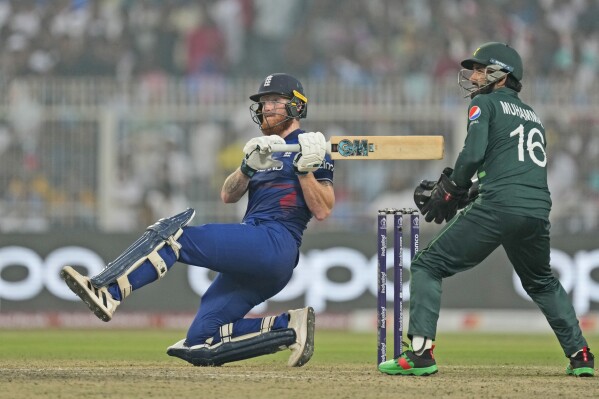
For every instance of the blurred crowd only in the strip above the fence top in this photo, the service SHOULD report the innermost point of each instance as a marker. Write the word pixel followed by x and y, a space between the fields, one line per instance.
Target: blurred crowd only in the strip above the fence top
pixel 353 40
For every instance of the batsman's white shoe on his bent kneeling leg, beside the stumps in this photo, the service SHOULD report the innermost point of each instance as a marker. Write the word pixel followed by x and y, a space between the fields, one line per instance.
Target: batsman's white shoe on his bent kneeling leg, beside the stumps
pixel 302 321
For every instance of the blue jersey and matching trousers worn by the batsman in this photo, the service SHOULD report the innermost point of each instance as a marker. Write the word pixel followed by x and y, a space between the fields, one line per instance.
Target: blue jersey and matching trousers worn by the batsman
pixel 254 259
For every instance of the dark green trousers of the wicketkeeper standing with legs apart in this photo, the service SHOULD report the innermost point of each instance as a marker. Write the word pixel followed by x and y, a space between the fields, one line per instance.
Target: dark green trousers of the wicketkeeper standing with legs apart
pixel 467 240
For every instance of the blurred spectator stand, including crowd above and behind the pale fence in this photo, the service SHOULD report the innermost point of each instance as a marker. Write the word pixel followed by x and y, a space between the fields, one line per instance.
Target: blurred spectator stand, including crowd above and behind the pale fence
pixel 50 174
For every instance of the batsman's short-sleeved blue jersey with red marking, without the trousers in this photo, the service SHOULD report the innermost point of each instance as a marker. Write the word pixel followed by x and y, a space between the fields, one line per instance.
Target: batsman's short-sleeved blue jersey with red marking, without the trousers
pixel 275 194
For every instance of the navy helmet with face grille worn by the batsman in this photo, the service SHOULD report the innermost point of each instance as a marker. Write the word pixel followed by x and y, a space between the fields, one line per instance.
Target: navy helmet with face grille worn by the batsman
pixel 286 86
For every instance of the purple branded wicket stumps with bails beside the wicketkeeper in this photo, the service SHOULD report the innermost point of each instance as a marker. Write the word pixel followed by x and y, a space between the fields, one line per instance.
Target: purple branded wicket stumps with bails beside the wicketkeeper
pixel 398 276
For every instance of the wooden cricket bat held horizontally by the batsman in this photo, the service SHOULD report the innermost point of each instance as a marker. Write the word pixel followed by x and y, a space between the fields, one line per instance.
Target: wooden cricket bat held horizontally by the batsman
pixel 377 147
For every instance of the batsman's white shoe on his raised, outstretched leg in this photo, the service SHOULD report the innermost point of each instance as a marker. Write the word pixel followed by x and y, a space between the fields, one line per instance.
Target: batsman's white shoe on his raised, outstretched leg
pixel 98 300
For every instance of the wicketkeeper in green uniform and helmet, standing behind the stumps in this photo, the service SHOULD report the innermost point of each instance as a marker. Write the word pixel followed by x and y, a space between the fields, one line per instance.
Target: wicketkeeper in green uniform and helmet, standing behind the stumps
pixel 505 148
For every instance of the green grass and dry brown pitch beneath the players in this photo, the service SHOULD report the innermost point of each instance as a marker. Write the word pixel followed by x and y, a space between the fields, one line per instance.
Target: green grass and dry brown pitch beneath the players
pixel 129 364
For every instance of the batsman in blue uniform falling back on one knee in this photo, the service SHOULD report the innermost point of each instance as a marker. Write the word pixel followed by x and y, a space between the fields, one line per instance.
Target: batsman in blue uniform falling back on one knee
pixel 254 259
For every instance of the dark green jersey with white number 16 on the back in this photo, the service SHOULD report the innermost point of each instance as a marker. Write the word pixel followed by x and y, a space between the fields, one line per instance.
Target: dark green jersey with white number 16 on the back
pixel 505 146
